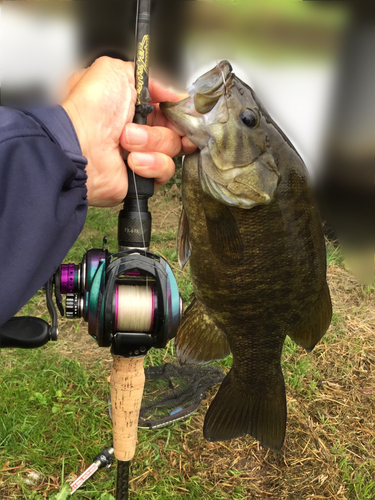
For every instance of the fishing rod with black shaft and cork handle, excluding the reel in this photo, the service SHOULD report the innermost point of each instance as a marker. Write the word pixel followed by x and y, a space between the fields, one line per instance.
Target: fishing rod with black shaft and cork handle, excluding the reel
pixel 134 231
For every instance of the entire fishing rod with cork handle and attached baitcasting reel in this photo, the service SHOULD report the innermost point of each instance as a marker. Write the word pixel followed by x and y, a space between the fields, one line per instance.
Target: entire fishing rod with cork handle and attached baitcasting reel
pixel 129 299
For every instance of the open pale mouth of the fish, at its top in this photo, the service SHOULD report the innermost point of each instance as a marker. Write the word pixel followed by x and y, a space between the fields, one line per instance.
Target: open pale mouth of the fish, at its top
pixel 205 91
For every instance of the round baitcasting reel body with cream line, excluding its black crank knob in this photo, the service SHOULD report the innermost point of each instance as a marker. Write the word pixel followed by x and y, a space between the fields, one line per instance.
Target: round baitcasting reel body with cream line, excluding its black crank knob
pixel 129 299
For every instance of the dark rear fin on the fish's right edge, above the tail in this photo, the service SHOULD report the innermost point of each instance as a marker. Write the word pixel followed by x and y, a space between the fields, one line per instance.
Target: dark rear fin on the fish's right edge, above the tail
pixel 311 330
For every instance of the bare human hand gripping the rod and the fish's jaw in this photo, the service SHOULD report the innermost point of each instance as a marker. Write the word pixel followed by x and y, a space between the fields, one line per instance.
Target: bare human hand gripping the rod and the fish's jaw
pixel 101 104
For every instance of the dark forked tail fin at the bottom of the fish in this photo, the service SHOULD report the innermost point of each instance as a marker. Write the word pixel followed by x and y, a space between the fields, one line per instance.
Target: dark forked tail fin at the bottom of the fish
pixel 258 410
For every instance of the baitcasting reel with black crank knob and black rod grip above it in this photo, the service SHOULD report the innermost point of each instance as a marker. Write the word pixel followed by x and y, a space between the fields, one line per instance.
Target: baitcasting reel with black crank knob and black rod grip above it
pixel 129 299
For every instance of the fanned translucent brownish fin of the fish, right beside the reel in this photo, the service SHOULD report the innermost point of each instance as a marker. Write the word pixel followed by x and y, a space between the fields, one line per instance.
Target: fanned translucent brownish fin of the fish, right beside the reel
pixel 198 339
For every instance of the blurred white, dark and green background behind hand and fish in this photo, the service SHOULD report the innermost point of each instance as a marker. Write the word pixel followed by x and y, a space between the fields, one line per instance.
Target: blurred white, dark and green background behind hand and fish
pixel 309 62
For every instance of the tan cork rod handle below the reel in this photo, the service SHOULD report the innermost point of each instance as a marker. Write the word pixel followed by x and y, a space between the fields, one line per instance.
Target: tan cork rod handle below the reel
pixel 127 383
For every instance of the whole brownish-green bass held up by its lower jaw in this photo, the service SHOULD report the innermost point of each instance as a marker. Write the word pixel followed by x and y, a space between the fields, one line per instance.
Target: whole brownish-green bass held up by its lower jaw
pixel 251 231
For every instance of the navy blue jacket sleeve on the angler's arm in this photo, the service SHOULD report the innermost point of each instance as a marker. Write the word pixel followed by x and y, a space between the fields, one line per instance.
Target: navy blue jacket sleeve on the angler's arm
pixel 43 203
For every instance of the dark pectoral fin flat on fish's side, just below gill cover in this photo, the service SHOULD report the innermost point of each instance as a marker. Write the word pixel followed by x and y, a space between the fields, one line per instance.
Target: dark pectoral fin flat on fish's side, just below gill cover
pixel 223 232
